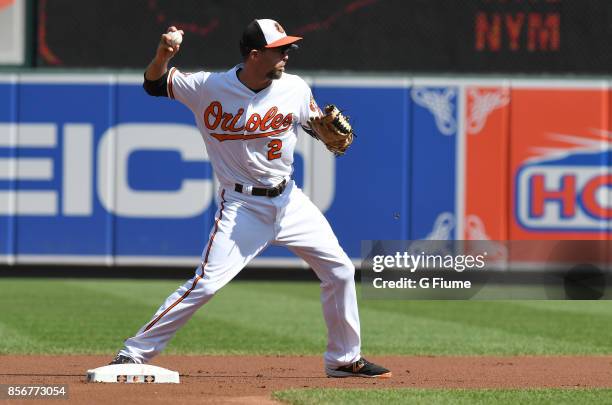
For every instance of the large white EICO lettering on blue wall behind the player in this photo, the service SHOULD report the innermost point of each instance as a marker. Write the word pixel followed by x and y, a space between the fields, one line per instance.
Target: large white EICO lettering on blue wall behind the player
pixel 79 183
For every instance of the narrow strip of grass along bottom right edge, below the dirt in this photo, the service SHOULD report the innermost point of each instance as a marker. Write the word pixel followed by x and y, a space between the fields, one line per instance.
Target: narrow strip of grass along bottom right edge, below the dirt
pixel 443 396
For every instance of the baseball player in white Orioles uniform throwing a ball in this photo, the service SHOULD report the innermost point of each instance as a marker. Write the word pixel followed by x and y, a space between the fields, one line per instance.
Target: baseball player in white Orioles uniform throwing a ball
pixel 248 118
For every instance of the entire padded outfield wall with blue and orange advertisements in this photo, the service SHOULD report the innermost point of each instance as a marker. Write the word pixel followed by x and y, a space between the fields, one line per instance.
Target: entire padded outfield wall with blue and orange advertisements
pixel 94 171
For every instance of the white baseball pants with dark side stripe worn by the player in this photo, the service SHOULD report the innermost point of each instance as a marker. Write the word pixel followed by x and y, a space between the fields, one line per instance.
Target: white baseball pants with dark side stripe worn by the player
pixel 244 226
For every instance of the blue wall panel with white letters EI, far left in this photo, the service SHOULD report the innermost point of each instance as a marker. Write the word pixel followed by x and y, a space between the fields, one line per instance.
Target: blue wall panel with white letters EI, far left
pixel 58 209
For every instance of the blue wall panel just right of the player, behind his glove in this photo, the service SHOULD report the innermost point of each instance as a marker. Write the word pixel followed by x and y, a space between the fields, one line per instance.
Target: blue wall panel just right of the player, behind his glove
pixel 372 193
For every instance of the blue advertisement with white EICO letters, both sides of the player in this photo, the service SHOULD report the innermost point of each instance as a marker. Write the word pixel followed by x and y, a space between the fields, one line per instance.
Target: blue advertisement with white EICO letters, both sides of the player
pixel 113 175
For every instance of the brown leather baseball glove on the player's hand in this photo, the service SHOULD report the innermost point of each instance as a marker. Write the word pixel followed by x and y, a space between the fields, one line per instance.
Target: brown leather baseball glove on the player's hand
pixel 333 129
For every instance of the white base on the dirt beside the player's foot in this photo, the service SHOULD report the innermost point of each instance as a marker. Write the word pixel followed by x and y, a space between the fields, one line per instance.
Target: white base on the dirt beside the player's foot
pixel 132 373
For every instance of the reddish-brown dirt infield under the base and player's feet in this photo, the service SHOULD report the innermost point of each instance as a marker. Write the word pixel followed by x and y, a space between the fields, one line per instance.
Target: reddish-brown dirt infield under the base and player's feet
pixel 251 379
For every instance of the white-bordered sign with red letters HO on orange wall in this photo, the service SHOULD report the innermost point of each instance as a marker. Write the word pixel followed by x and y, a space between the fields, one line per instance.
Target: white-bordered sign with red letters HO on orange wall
pixel 565 197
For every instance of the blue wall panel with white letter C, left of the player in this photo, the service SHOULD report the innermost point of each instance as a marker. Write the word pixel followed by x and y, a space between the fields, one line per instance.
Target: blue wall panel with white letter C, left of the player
pixel 164 203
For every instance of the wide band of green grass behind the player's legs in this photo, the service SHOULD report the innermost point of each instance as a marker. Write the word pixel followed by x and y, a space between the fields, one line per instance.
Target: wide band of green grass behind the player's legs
pixel 50 316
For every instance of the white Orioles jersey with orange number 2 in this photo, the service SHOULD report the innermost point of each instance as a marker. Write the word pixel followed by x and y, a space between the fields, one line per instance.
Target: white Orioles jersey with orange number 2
pixel 250 137
